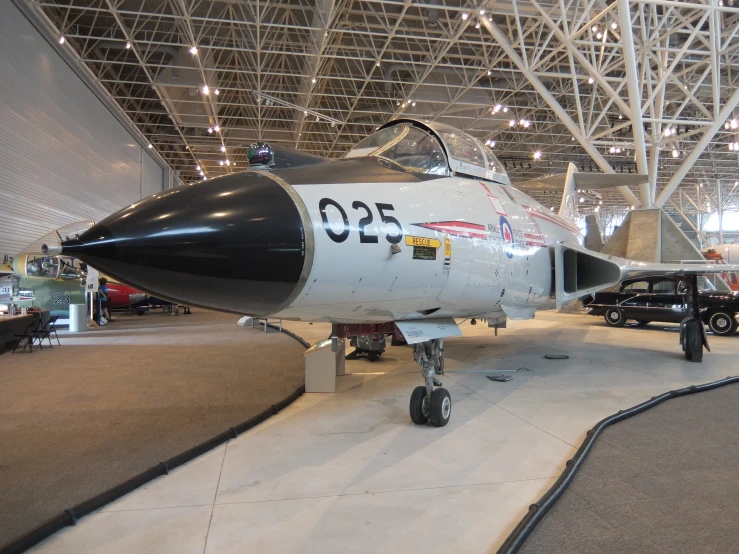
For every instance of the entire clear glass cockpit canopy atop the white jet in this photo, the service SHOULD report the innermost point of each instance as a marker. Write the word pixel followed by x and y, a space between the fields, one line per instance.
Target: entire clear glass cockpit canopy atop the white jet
pixel 432 148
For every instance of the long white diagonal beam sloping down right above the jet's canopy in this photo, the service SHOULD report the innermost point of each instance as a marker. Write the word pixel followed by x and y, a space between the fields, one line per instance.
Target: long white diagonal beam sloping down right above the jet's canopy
pixel 556 107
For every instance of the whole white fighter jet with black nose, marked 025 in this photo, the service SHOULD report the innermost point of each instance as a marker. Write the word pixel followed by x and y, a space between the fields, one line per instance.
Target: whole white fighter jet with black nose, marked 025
pixel 416 226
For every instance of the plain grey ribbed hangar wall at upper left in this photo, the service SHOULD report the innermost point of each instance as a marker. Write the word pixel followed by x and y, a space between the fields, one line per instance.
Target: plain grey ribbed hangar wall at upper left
pixel 63 156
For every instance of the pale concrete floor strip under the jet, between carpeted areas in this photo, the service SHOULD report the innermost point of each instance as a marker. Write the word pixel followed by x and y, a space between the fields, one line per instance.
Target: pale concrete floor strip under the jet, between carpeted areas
pixel 348 472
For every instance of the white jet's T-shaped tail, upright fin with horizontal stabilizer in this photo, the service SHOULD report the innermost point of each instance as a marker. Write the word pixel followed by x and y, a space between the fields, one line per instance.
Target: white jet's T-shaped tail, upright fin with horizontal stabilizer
pixel 571 181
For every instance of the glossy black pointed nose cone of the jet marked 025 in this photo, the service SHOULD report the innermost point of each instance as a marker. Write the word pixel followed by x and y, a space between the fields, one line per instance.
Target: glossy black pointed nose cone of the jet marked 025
pixel 237 243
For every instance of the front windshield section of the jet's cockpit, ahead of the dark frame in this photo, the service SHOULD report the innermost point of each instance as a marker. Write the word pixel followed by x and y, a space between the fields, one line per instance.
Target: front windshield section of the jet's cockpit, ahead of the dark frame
pixel 405 146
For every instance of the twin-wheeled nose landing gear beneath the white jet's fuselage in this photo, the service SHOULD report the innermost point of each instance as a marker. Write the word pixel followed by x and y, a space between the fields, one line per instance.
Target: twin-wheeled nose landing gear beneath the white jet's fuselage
pixel 429 404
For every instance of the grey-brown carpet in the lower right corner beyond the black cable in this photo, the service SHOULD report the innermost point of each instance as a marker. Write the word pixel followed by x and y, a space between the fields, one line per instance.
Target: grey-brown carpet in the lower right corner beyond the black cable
pixel 663 481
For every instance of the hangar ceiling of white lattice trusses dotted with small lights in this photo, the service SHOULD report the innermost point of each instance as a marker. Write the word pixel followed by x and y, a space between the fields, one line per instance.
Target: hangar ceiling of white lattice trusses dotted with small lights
pixel 547 76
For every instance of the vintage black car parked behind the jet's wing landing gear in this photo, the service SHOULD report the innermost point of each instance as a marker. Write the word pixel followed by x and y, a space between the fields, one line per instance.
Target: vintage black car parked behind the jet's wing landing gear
pixel 661 299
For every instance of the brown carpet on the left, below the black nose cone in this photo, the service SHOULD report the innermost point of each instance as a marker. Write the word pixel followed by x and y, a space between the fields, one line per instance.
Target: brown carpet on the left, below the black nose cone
pixel 112 402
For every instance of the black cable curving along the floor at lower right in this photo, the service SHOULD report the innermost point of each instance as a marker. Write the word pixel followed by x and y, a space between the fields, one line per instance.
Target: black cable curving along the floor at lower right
pixel 538 510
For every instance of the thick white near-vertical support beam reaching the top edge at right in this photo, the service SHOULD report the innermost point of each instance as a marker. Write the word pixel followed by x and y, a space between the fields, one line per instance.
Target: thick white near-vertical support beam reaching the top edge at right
pixel 632 83
